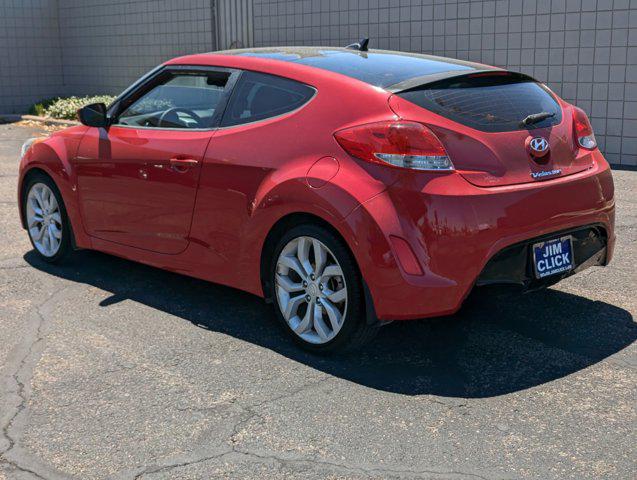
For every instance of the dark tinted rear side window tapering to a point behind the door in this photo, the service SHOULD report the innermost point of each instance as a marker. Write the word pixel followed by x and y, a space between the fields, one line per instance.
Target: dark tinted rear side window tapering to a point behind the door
pixel 258 96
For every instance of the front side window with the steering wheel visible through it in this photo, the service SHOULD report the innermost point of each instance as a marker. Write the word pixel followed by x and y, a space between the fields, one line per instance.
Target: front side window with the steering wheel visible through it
pixel 178 100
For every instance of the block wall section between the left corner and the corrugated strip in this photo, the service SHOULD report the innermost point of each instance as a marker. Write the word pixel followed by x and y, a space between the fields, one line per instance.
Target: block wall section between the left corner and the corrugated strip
pixel 107 44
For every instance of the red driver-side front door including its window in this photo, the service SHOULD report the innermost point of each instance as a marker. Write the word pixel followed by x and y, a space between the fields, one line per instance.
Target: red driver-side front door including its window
pixel 137 179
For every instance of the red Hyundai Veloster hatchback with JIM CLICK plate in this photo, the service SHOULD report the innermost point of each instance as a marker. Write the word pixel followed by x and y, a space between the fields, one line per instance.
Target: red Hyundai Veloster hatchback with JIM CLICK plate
pixel 348 187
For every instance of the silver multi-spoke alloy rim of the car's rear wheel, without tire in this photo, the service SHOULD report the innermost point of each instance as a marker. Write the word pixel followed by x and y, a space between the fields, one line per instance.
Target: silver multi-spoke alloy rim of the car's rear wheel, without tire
pixel 311 290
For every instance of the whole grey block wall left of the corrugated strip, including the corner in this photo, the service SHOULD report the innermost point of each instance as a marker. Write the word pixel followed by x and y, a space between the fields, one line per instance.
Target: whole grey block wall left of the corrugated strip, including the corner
pixel 53 48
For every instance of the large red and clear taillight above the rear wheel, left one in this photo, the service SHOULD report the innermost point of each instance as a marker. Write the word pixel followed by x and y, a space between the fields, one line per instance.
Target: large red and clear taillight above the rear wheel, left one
pixel 400 144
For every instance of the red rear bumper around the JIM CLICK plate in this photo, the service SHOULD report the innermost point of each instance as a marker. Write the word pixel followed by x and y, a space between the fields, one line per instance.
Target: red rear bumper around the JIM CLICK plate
pixel 455 229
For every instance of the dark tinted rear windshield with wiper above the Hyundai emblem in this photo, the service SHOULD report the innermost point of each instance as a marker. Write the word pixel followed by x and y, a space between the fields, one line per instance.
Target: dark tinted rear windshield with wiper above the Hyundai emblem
pixel 488 102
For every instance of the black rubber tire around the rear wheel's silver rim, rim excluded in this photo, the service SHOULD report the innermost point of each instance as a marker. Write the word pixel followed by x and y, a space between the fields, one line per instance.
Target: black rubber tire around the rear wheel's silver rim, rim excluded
pixel 356 330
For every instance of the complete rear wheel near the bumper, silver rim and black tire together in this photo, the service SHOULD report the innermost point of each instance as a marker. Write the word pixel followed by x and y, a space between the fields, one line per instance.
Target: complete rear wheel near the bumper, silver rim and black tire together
pixel 317 291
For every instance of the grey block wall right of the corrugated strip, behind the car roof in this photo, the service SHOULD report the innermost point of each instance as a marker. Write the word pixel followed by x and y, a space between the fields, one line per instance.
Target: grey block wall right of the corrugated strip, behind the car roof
pixel 586 50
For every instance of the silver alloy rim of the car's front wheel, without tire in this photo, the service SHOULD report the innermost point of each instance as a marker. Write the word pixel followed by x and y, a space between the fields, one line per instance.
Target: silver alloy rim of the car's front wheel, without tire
pixel 44 219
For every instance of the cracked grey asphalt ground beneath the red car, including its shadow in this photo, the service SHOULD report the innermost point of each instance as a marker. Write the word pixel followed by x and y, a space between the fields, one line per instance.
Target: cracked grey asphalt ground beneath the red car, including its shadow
pixel 111 369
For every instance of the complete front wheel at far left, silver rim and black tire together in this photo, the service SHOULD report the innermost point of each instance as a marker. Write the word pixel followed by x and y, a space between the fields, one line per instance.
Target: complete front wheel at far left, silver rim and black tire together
pixel 46 219
